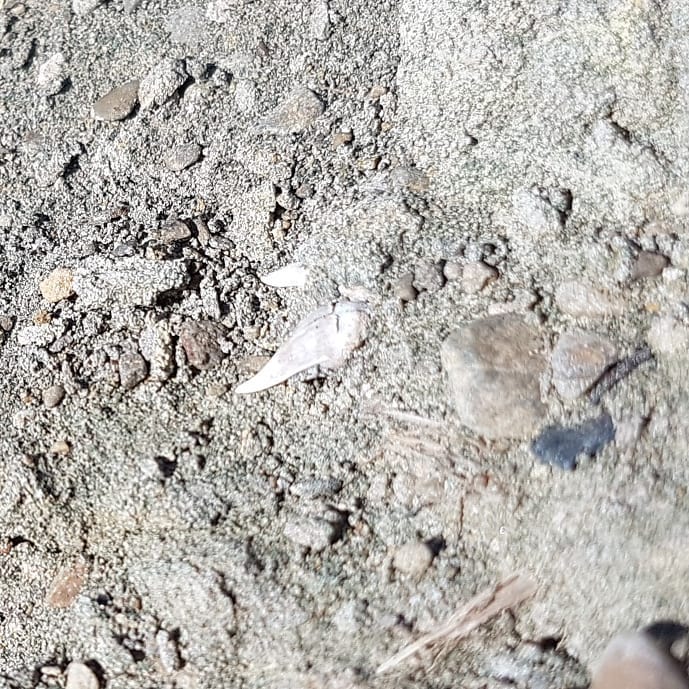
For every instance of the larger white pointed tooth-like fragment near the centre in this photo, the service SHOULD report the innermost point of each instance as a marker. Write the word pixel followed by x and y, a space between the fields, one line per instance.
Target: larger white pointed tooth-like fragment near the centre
pixel 325 338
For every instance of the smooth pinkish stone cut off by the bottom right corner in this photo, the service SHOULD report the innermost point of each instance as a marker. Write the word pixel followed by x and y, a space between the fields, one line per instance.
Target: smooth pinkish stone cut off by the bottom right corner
pixel 636 661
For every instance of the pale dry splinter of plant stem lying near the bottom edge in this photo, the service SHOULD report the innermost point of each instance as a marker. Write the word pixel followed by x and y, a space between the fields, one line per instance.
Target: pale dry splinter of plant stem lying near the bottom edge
pixel 476 612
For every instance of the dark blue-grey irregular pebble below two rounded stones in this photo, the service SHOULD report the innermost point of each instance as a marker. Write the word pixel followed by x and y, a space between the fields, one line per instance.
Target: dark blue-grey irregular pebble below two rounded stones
pixel 560 445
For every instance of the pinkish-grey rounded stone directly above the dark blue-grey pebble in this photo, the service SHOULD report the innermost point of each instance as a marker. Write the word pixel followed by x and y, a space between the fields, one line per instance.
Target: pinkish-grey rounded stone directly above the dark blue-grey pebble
pixel 578 360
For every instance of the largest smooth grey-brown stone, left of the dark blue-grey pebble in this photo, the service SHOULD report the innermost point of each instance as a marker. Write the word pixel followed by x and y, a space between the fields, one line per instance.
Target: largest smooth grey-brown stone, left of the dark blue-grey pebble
pixel 494 367
